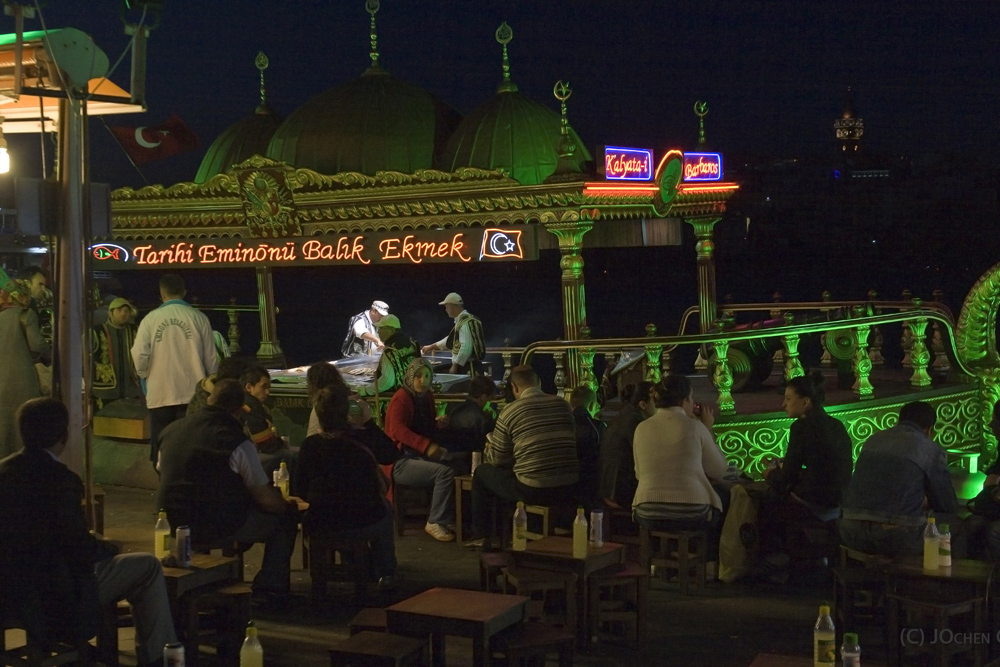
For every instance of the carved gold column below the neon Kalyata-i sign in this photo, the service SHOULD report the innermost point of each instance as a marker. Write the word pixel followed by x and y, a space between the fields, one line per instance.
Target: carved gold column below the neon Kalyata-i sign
pixel 569 231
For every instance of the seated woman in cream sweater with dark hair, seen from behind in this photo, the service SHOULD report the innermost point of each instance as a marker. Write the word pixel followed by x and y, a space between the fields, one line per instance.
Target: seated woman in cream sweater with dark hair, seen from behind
pixel 676 459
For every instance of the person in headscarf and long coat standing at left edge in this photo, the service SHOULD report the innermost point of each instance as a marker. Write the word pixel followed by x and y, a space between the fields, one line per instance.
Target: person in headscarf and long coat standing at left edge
pixel 18 377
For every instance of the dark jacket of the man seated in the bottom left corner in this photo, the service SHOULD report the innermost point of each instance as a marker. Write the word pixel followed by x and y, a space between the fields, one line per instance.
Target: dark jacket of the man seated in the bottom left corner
pixel 47 555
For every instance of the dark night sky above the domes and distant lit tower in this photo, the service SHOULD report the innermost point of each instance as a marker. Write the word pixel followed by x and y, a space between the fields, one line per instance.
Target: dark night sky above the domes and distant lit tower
pixel 774 73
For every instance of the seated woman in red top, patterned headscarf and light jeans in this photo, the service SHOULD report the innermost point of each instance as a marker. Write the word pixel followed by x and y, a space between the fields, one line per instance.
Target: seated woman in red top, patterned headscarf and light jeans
pixel 410 421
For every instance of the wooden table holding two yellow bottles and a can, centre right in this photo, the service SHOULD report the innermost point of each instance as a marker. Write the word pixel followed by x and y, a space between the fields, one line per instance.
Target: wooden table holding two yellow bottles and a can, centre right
pixel 556 554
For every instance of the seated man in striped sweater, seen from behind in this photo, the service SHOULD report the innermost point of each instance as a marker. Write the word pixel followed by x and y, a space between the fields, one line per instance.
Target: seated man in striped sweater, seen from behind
pixel 530 455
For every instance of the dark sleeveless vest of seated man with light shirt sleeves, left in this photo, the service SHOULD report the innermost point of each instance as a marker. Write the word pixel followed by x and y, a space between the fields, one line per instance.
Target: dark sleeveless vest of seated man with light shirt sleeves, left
pixel 197 487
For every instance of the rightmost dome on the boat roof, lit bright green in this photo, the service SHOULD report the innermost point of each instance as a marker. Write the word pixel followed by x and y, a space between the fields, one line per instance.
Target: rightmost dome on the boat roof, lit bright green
pixel 511 132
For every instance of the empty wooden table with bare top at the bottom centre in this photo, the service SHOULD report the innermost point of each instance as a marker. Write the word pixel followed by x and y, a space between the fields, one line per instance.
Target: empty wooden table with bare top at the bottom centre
pixel 449 611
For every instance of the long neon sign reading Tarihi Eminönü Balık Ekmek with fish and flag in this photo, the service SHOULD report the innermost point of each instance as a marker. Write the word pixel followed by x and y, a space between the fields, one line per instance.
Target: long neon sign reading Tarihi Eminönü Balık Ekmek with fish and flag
pixel 462 245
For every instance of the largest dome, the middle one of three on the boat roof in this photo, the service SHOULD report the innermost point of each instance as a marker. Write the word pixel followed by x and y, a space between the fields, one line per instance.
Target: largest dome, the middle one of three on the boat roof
pixel 374 123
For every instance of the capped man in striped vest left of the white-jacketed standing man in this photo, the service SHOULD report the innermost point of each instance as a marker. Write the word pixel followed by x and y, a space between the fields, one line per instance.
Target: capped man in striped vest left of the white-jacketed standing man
pixel 111 342
